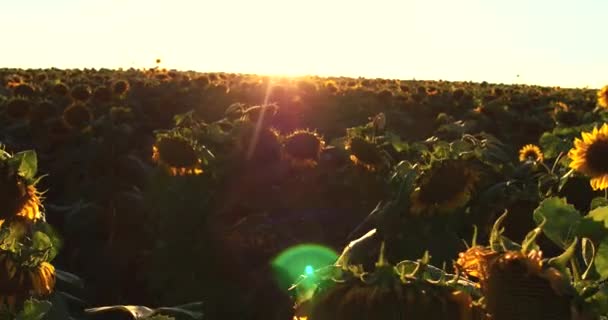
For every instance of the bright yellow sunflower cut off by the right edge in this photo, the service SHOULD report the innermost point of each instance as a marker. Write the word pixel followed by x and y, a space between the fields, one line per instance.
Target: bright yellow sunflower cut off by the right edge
pixel 590 156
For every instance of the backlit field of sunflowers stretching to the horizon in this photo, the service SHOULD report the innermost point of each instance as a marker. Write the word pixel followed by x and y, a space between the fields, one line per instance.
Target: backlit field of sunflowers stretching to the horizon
pixel 158 194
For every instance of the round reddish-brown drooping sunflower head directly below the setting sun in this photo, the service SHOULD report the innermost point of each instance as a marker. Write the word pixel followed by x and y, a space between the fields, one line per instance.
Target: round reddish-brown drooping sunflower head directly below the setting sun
pixel 303 148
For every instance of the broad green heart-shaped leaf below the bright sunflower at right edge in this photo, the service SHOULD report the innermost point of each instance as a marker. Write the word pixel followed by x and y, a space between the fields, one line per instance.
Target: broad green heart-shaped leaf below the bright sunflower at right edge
pixel 562 220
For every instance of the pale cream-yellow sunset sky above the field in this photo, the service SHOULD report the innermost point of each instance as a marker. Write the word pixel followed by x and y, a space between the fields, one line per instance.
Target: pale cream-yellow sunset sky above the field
pixel 542 42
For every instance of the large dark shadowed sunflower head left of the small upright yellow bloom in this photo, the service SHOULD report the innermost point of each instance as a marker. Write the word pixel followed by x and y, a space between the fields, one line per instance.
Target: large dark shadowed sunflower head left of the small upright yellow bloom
pixel 446 186
